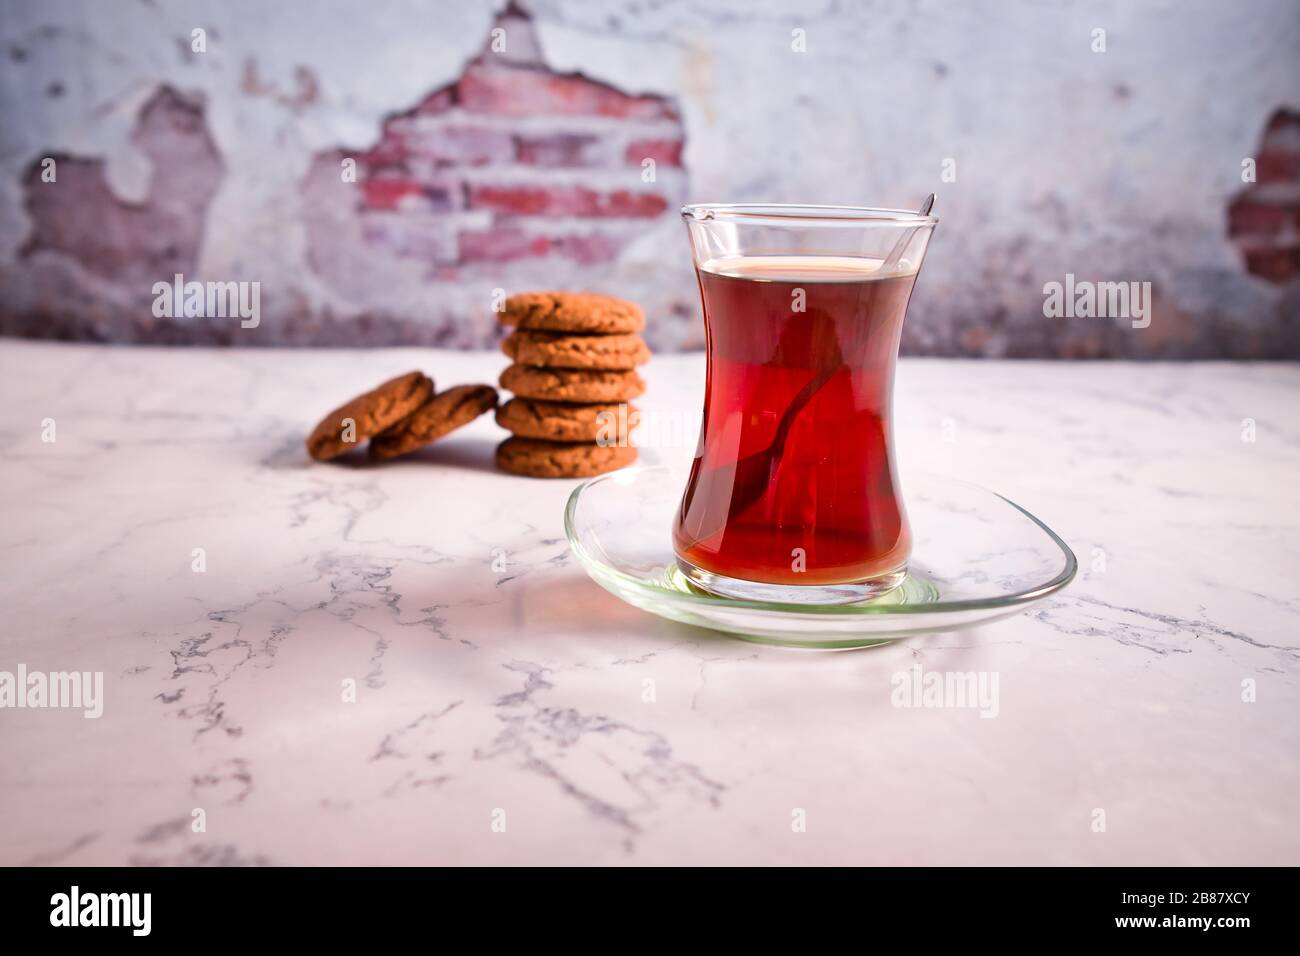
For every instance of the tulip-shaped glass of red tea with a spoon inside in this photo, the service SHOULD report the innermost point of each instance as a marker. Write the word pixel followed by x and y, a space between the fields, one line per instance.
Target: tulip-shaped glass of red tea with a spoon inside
pixel 794 495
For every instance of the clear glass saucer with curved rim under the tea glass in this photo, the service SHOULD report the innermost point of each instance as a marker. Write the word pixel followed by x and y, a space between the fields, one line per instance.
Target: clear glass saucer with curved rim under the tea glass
pixel 977 557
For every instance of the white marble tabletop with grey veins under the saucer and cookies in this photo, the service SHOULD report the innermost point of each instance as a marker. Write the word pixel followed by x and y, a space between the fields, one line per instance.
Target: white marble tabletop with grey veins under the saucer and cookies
pixel 1147 715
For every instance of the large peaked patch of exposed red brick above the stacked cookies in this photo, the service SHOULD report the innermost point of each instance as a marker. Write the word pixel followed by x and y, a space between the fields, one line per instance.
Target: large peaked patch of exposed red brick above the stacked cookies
pixel 460 183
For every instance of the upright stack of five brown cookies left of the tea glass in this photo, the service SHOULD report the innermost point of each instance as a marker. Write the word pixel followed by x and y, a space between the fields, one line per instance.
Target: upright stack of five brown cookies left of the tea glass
pixel 575 373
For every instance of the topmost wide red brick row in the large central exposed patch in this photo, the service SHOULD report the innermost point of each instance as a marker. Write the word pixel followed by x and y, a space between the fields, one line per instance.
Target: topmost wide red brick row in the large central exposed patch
pixel 538 93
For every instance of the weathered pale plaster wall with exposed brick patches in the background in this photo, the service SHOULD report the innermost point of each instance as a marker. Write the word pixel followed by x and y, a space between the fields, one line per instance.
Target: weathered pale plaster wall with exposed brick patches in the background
pixel 1119 166
